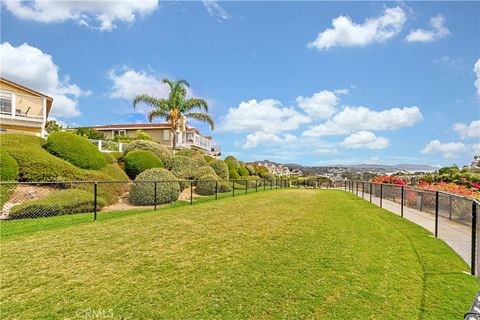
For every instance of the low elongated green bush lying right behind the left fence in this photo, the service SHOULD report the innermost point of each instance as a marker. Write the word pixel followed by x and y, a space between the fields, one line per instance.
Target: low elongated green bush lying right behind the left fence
pixel 57 203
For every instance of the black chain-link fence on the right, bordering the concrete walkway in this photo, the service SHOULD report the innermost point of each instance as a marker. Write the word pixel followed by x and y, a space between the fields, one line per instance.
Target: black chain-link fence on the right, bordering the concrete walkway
pixel 450 217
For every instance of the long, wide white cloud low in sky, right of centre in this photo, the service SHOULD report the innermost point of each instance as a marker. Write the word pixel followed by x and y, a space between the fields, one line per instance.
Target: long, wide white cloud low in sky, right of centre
pixel 353 119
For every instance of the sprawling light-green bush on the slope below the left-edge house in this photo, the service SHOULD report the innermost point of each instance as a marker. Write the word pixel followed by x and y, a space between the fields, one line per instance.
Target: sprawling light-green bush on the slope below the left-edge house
pixel 34 162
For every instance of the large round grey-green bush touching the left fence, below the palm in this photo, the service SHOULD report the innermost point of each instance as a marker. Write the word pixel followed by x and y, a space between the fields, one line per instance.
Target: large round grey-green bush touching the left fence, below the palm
pixel 143 193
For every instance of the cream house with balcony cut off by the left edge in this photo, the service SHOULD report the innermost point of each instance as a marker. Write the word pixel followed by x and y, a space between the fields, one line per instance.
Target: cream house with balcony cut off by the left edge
pixel 23 110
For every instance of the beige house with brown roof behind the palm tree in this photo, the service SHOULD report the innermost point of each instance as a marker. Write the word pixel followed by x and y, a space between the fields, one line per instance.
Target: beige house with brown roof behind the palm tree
pixel 187 137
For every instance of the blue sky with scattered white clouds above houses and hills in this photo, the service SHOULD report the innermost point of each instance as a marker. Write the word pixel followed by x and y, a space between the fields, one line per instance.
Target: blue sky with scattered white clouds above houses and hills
pixel 307 82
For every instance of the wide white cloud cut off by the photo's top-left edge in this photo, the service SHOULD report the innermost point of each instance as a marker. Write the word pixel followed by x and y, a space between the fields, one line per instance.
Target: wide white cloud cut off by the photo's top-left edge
pixel 101 15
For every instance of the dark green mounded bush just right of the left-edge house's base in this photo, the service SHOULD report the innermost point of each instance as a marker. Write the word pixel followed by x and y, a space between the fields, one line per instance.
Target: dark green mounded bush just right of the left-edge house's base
pixel 75 149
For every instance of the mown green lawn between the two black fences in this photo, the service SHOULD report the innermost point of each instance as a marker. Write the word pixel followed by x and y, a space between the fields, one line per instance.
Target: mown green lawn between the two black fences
pixel 321 254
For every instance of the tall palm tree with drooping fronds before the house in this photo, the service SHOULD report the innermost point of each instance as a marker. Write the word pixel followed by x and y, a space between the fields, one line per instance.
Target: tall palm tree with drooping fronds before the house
pixel 175 107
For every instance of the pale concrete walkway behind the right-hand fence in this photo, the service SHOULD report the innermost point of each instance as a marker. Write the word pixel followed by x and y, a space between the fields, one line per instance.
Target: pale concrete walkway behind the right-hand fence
pixel 455 235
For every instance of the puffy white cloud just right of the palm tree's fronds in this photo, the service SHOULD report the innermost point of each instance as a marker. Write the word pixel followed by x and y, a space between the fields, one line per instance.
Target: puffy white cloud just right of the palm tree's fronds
pixel 265 116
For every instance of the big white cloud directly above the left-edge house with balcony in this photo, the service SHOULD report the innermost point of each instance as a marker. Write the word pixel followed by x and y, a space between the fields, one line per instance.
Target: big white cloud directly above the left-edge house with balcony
pixel 35 69
